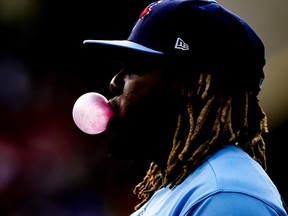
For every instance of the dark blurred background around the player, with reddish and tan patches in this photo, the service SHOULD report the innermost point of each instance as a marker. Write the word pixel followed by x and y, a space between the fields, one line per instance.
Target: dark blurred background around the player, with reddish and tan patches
pixel 47 165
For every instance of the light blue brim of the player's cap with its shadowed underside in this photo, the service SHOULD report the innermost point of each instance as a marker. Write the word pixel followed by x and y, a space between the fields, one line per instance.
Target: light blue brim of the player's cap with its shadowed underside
pixel 121 50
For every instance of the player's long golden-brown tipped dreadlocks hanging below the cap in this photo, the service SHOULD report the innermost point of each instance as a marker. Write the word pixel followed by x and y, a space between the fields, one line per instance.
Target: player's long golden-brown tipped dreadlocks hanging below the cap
pixel 209 117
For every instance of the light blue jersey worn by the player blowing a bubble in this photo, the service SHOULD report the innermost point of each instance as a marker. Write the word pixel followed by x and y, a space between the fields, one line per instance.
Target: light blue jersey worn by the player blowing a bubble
pixel 228 183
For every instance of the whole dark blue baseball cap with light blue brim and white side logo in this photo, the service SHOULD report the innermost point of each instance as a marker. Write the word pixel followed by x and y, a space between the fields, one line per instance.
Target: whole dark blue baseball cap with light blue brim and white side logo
pixel 197 34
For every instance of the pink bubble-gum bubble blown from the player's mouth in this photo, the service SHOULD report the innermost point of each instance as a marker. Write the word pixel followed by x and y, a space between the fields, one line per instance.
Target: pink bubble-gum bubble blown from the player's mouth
pixel 91 113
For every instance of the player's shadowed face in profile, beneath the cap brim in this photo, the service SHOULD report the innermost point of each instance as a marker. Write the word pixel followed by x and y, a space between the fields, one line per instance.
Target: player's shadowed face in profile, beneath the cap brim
pixel 145 106
